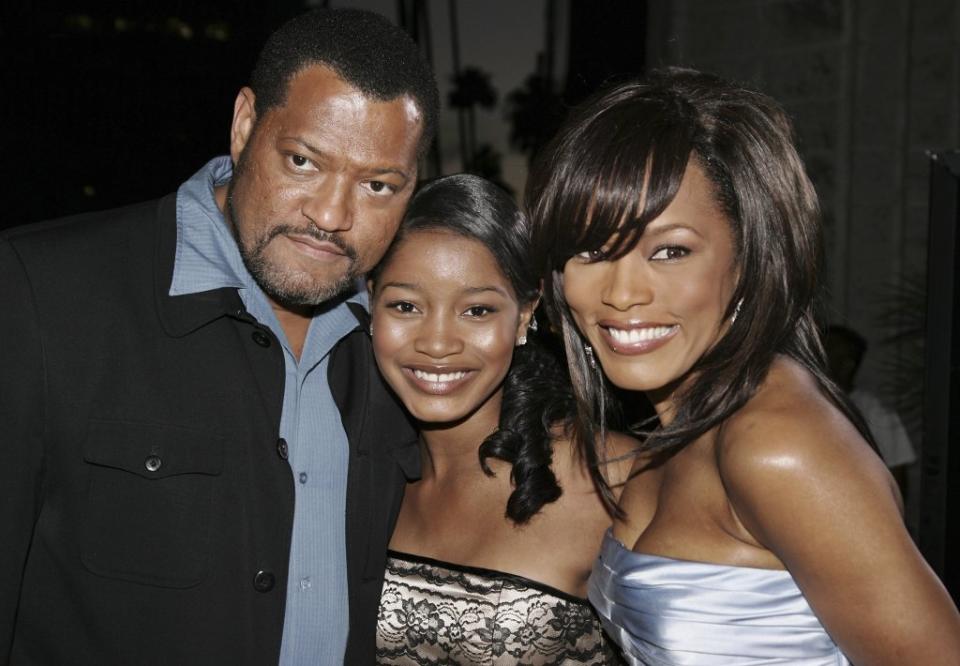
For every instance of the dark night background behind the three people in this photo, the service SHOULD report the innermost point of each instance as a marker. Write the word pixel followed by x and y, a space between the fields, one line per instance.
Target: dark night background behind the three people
pixel 106 103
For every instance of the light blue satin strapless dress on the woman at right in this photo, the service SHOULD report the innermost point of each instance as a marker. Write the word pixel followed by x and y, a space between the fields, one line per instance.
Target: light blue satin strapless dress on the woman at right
pixel 667 612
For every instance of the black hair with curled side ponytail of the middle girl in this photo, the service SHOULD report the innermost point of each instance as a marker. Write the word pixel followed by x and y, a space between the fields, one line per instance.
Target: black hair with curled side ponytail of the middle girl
pixel 536 391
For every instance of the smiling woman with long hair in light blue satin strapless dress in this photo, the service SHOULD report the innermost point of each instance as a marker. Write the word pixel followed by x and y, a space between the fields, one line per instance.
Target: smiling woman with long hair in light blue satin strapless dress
pixel 679 236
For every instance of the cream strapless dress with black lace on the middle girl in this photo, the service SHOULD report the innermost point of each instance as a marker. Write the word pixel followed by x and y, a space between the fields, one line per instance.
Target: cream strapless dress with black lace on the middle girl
pixel 434 612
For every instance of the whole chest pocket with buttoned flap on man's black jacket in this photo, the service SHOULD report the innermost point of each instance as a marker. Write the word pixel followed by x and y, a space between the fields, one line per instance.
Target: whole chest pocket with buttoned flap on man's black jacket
pixel 149 502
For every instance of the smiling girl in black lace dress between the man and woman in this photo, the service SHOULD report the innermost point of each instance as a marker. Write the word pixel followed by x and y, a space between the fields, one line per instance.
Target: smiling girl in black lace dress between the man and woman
pixel 493 545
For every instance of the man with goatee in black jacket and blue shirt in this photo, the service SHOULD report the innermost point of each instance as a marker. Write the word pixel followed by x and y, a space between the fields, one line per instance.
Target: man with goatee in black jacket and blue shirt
pixel 200 464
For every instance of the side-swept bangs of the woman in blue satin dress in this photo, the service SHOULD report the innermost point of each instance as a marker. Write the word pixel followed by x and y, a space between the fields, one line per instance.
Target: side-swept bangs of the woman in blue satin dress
pixel 607 175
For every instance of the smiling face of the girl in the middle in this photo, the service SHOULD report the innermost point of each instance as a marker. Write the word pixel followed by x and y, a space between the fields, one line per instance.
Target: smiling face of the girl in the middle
pixel 445 321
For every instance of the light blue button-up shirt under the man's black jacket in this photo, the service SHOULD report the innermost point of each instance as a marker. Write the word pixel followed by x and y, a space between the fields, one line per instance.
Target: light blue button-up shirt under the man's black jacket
pixel 316 620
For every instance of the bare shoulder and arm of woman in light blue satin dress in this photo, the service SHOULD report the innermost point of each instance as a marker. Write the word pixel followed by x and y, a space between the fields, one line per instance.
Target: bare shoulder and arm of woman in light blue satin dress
pixel 808 488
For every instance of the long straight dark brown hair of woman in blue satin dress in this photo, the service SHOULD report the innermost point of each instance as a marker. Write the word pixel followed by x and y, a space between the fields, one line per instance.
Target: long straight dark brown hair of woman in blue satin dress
pixel 638 138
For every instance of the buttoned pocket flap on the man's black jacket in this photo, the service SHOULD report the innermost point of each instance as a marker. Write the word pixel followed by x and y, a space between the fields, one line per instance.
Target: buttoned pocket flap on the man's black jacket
pixel 153 451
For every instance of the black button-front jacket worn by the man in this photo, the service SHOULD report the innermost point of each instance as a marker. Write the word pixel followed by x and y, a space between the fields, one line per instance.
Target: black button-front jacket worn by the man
pixel 145 504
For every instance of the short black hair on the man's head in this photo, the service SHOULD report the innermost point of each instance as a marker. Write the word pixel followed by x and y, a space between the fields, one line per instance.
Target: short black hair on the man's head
pixel 365 49
